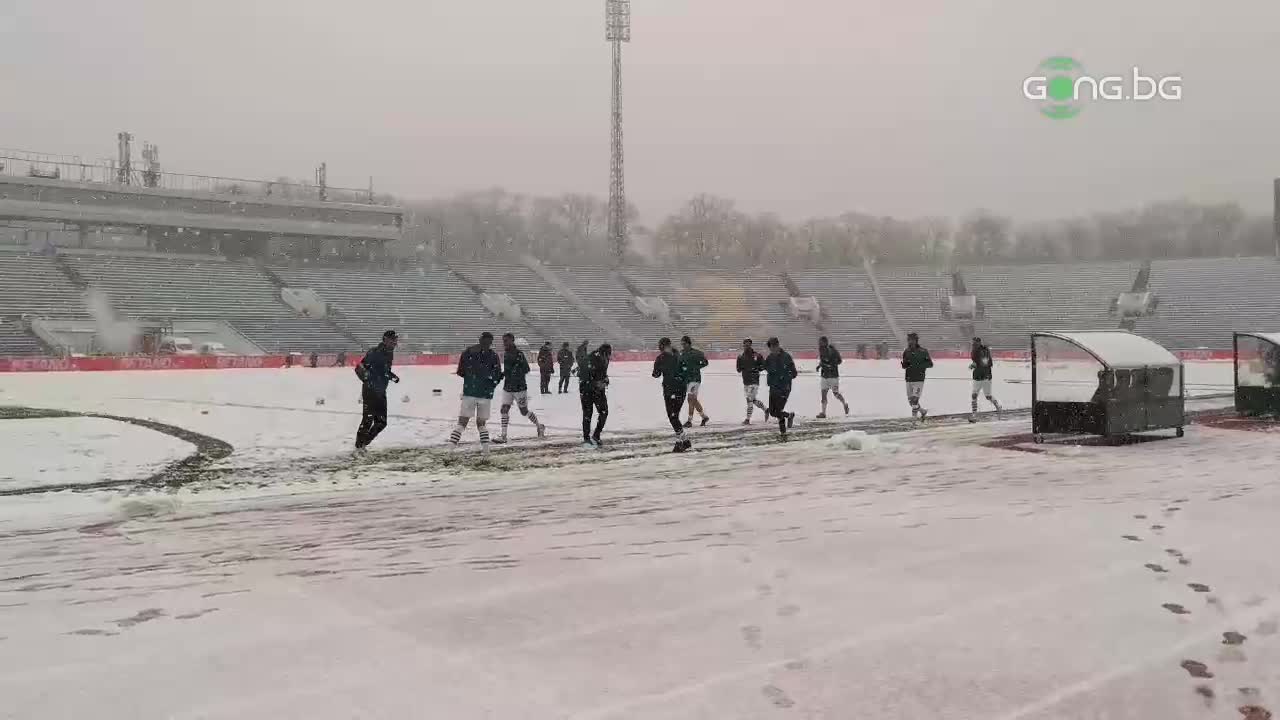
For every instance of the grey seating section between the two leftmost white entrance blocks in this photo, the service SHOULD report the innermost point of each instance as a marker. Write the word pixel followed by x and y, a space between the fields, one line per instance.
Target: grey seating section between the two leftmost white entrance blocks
pixel 431 308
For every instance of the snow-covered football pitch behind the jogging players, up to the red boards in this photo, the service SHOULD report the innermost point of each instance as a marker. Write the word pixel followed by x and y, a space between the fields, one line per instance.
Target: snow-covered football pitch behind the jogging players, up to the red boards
pixel 273 416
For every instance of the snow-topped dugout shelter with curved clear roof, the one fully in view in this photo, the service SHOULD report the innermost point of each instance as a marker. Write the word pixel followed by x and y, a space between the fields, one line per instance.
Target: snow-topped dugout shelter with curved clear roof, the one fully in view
pixel 1141 385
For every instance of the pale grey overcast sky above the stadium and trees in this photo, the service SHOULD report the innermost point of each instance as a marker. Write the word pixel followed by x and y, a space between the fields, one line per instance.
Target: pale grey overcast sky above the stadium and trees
pixel 802 107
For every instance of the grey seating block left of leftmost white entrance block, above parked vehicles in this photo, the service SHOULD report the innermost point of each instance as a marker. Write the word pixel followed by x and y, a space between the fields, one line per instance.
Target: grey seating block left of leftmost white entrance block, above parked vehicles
pixel 166 288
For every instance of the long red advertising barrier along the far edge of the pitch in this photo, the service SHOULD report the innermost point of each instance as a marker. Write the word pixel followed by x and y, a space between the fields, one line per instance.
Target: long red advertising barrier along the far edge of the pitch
pixel 243 362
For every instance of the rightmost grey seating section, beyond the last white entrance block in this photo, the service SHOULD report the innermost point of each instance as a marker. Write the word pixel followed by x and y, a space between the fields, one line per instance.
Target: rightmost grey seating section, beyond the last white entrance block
pixel 1204 300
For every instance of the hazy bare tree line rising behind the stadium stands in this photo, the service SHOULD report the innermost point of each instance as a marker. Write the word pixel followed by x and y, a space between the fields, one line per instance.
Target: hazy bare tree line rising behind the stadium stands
pixel 712 231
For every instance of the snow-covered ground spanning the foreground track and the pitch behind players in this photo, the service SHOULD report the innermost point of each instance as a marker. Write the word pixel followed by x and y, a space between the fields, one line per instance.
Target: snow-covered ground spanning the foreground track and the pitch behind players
pixel 930 578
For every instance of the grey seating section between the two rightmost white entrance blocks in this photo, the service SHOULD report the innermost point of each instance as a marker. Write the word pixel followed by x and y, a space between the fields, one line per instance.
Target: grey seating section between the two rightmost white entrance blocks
pixel 1020 299
